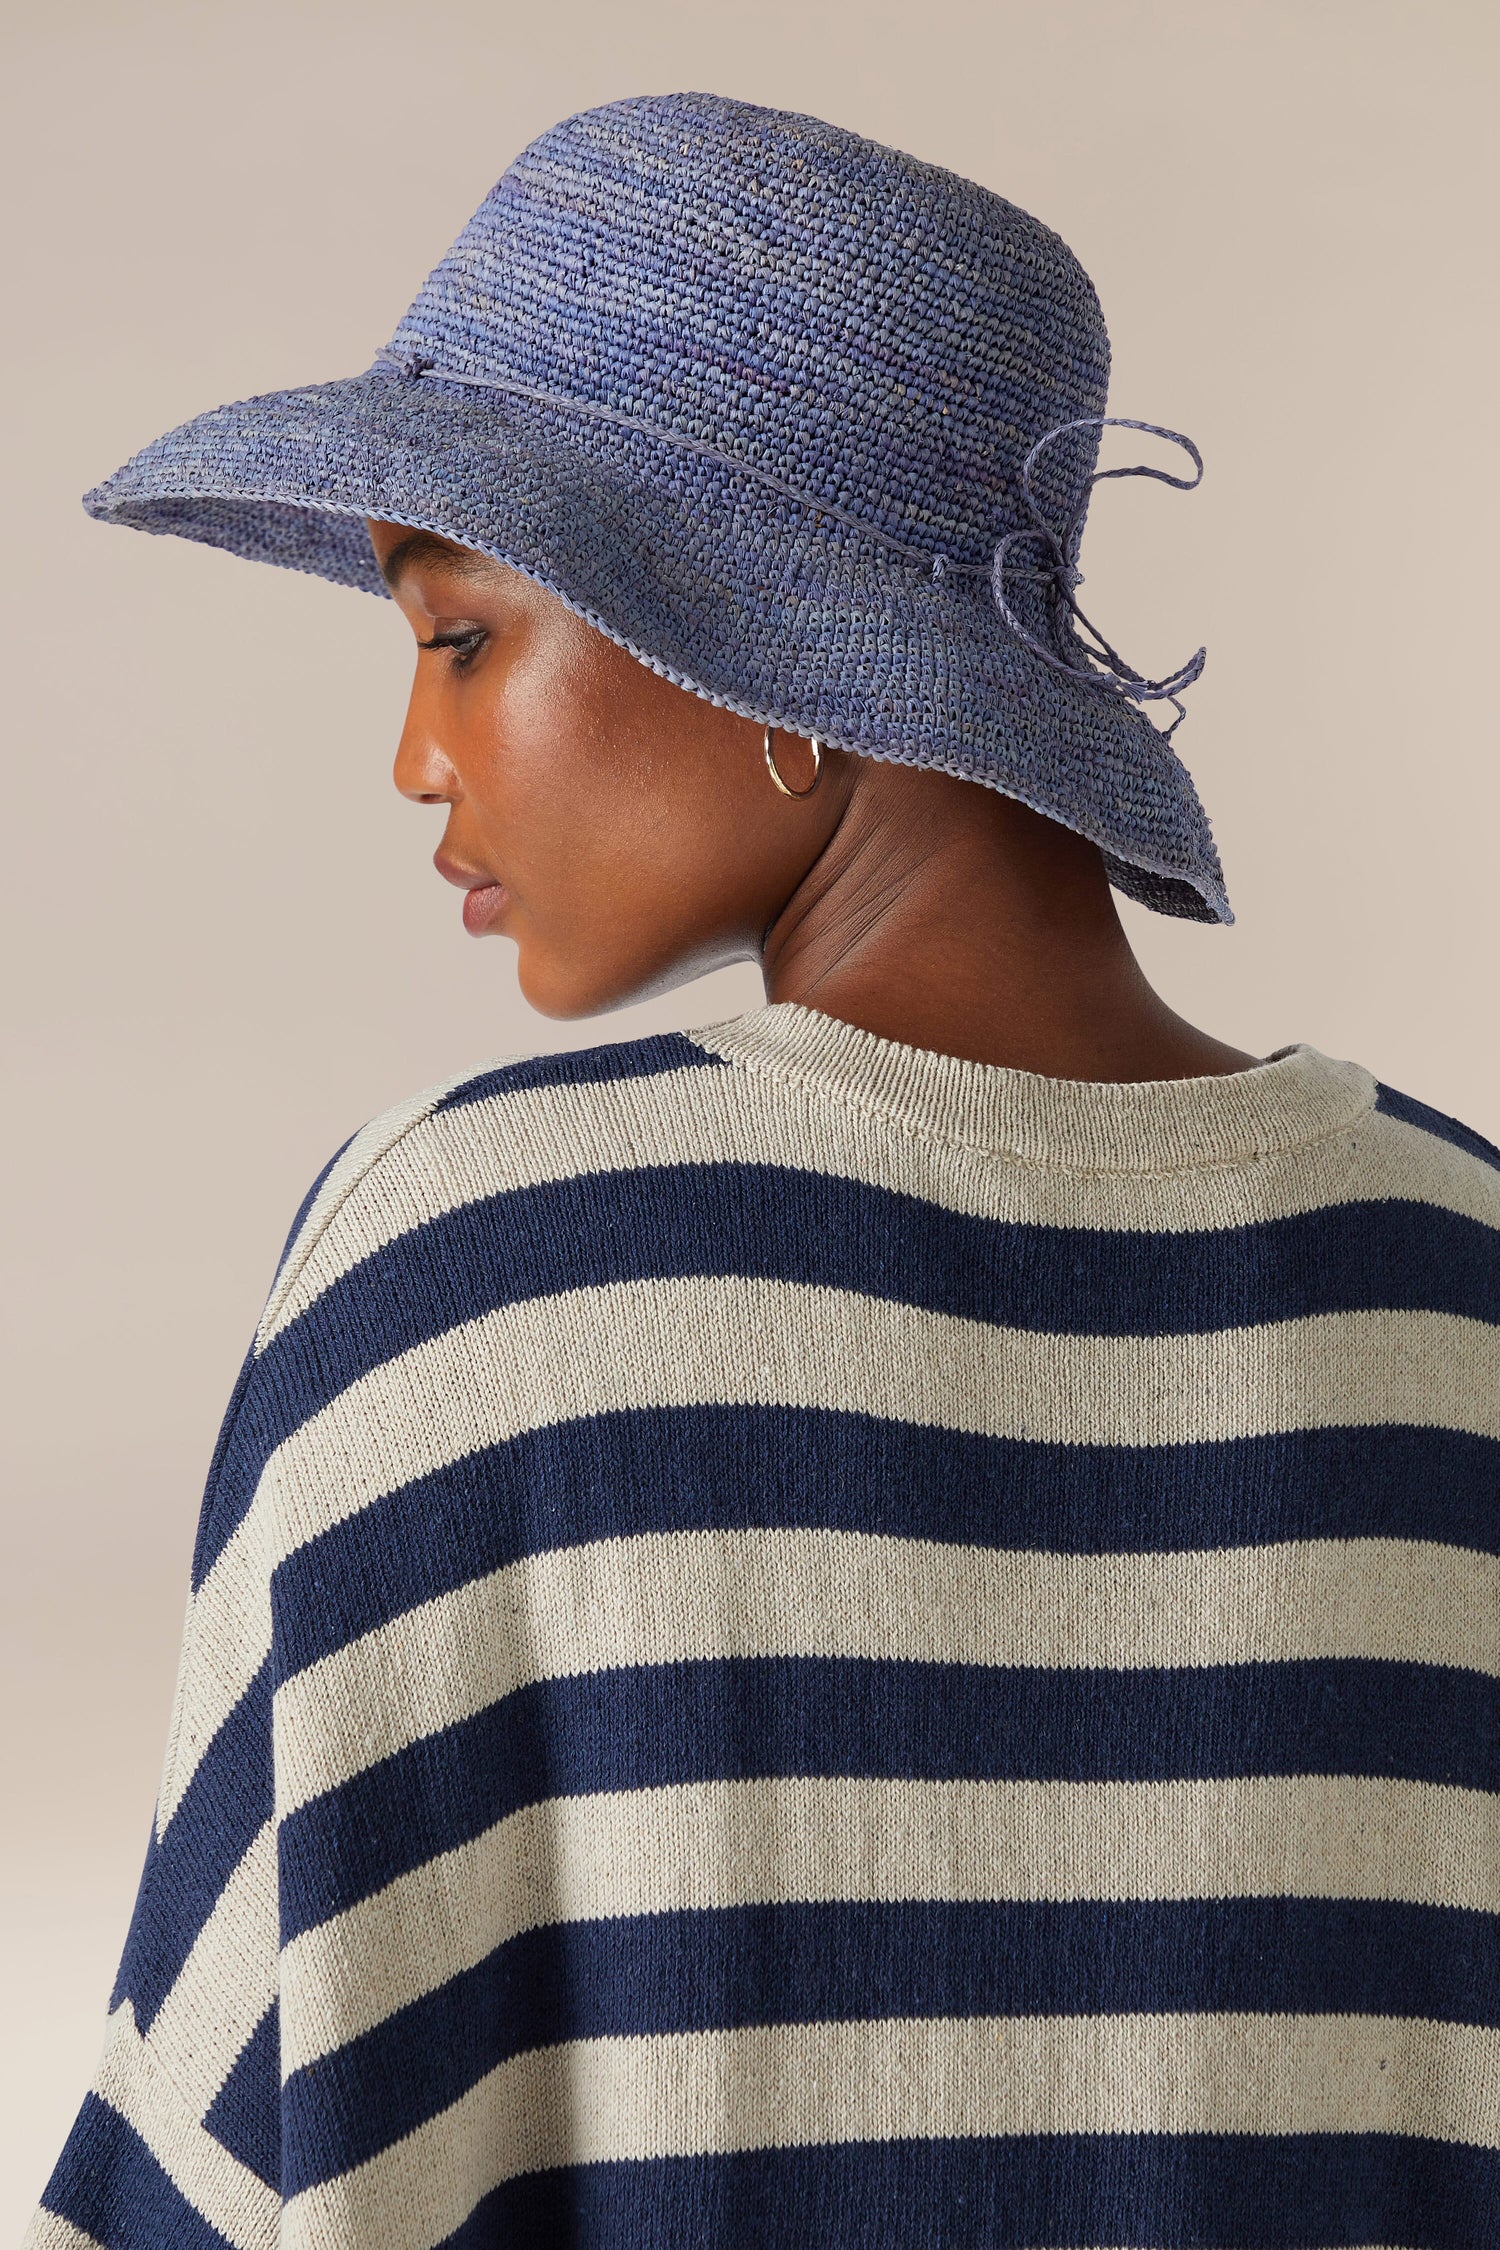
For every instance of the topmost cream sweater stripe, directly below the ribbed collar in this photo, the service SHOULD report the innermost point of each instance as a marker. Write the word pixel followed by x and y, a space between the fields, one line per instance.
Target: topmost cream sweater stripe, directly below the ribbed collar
pixel 728 1117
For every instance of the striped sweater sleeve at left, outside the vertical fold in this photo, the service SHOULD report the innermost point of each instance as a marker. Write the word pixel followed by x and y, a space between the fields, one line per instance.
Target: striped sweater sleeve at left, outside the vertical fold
pixel 177 2145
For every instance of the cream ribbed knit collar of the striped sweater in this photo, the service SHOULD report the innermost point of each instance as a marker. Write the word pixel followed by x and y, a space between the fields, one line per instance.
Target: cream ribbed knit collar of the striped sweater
pixel 1067 1124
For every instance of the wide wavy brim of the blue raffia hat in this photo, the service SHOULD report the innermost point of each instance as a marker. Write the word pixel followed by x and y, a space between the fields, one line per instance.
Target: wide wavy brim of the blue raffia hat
pixel 703 573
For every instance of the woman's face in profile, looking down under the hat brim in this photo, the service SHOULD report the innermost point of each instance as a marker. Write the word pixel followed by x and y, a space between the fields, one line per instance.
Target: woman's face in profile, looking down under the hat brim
pixel 624 831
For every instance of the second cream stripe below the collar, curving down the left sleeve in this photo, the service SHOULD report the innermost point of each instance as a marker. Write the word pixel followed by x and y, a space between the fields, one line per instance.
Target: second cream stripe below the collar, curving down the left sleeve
pixel 730 1340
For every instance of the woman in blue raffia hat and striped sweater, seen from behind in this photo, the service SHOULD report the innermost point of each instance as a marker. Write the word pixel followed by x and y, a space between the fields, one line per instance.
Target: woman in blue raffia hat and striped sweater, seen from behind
pixel 874 1623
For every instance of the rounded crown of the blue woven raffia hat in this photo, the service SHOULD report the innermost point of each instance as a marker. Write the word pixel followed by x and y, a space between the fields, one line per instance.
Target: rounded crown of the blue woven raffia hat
pixel 876 330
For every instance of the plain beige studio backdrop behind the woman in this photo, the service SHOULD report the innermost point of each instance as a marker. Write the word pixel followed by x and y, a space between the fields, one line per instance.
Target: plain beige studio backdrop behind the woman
pixel 226 944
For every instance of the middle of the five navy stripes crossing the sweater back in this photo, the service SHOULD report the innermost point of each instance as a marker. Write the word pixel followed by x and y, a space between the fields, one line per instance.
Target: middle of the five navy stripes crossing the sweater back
pixel 698 1722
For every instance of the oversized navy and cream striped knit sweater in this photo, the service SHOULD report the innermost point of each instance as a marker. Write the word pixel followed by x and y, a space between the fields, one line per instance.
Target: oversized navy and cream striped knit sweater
pixel 806 1644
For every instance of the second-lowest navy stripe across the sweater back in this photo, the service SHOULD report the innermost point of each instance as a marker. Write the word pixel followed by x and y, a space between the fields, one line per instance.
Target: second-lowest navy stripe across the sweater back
pixel 692 1972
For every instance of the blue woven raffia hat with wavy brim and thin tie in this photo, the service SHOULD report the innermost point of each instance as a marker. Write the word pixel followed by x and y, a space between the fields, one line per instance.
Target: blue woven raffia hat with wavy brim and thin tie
pixel 797 420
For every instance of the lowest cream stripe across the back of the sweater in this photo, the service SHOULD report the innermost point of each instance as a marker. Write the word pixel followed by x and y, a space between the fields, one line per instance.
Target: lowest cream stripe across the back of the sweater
pixel 777 2087
